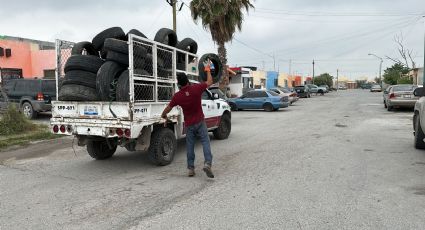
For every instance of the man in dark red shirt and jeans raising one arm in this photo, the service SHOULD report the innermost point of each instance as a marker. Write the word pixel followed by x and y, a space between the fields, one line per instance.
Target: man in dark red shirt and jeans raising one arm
pixel 189 99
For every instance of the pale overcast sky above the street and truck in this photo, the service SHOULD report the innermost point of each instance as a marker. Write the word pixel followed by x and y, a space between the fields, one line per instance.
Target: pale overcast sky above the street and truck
pixel 337 34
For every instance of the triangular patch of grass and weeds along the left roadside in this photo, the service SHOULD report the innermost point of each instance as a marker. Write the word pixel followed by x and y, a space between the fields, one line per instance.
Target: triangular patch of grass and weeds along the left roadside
pixel 16 129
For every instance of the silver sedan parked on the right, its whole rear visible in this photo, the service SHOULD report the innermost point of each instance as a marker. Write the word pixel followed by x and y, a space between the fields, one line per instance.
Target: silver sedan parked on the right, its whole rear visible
pixel 397 96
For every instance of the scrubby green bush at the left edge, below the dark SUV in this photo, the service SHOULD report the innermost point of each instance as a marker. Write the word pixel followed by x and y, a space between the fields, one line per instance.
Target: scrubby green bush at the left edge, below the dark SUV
pixel 14 122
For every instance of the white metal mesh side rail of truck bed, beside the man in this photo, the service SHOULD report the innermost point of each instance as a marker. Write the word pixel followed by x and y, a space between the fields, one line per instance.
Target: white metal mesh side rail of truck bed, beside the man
pixel 153 69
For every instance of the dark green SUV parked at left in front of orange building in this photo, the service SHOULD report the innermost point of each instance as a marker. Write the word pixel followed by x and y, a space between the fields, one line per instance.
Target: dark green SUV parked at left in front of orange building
pixel 31 95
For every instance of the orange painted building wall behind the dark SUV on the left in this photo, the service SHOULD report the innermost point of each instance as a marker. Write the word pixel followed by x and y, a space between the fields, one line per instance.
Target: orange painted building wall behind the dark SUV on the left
pixel 28 57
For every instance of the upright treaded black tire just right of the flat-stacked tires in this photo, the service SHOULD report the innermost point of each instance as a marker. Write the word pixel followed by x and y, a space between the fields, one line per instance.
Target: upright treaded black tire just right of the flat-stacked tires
pixel 108 73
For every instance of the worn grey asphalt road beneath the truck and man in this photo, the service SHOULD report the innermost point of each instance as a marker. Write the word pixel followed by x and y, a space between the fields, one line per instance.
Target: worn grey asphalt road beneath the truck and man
pixel 338 161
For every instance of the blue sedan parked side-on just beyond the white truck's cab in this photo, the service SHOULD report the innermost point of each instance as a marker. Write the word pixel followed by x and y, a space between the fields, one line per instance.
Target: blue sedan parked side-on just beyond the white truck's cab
pixel 259 99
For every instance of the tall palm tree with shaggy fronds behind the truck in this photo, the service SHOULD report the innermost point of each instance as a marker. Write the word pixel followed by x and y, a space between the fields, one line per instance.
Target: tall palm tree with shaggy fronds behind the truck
pixel 222 18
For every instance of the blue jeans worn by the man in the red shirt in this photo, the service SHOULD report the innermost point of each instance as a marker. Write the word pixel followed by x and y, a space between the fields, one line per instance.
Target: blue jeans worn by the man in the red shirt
pixel 193 131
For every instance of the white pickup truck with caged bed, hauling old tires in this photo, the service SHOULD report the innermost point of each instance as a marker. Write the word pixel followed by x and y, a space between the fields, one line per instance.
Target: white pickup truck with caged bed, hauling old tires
pixel 137 125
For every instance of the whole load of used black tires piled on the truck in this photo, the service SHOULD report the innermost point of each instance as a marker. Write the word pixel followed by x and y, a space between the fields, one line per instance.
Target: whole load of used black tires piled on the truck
pixel 98 70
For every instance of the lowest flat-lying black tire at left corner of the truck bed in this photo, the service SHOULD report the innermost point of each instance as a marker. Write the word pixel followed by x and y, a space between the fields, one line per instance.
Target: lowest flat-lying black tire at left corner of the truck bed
pixel 77 93
